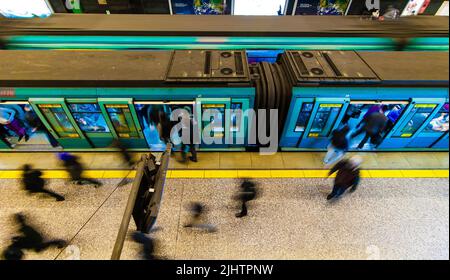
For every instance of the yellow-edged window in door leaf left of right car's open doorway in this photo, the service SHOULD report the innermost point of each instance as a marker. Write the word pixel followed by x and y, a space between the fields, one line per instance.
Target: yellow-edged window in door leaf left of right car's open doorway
pixel 325 119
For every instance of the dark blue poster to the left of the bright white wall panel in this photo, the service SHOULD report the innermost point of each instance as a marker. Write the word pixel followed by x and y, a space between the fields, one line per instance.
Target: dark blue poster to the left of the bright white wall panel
pixel 198 7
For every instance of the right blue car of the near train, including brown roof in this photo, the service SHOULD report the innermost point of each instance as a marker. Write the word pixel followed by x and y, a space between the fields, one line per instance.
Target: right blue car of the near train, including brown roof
pixel 333 89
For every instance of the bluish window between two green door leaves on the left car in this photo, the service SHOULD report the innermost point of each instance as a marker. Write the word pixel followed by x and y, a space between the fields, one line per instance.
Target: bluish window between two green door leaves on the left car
pixel 89 117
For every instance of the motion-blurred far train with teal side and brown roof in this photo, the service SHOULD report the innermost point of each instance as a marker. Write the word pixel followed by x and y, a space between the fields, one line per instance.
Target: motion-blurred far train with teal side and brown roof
pixel 270 35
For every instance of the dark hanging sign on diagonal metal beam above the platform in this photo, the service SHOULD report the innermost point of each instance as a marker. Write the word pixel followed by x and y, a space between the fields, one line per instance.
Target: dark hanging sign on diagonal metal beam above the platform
pixel 145 197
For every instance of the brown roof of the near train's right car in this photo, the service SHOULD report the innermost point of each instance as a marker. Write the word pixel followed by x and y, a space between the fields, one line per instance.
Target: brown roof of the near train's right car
pixel 366 68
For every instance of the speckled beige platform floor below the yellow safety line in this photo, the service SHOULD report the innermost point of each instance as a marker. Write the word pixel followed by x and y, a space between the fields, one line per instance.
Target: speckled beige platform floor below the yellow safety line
pixel 385 219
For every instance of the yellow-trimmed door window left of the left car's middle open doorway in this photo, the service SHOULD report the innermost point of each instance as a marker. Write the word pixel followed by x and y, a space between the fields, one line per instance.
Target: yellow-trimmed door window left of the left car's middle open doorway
pixel 122 120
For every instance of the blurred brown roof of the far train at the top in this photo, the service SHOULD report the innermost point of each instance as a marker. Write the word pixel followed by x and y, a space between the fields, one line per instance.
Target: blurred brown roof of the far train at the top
pixel 195 25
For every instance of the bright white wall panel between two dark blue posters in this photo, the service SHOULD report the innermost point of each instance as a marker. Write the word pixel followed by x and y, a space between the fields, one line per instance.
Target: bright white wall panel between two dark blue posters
pixel 259 7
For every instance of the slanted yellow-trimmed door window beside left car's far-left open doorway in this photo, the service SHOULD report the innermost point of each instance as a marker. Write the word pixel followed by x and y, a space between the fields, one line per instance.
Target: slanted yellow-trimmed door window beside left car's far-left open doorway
pixel 58 119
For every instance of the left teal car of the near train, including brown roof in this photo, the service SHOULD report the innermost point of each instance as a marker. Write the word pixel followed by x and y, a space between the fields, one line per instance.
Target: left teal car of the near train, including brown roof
pixel 84 100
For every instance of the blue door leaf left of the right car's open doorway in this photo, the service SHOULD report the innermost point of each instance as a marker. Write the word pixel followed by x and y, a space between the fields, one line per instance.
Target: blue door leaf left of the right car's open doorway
pixel 325 117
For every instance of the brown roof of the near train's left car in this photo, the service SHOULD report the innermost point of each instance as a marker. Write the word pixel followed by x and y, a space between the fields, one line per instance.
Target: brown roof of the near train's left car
pixel 121 68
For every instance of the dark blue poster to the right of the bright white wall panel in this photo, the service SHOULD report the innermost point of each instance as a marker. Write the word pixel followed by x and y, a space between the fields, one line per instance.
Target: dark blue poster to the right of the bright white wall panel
pixel 321 7
